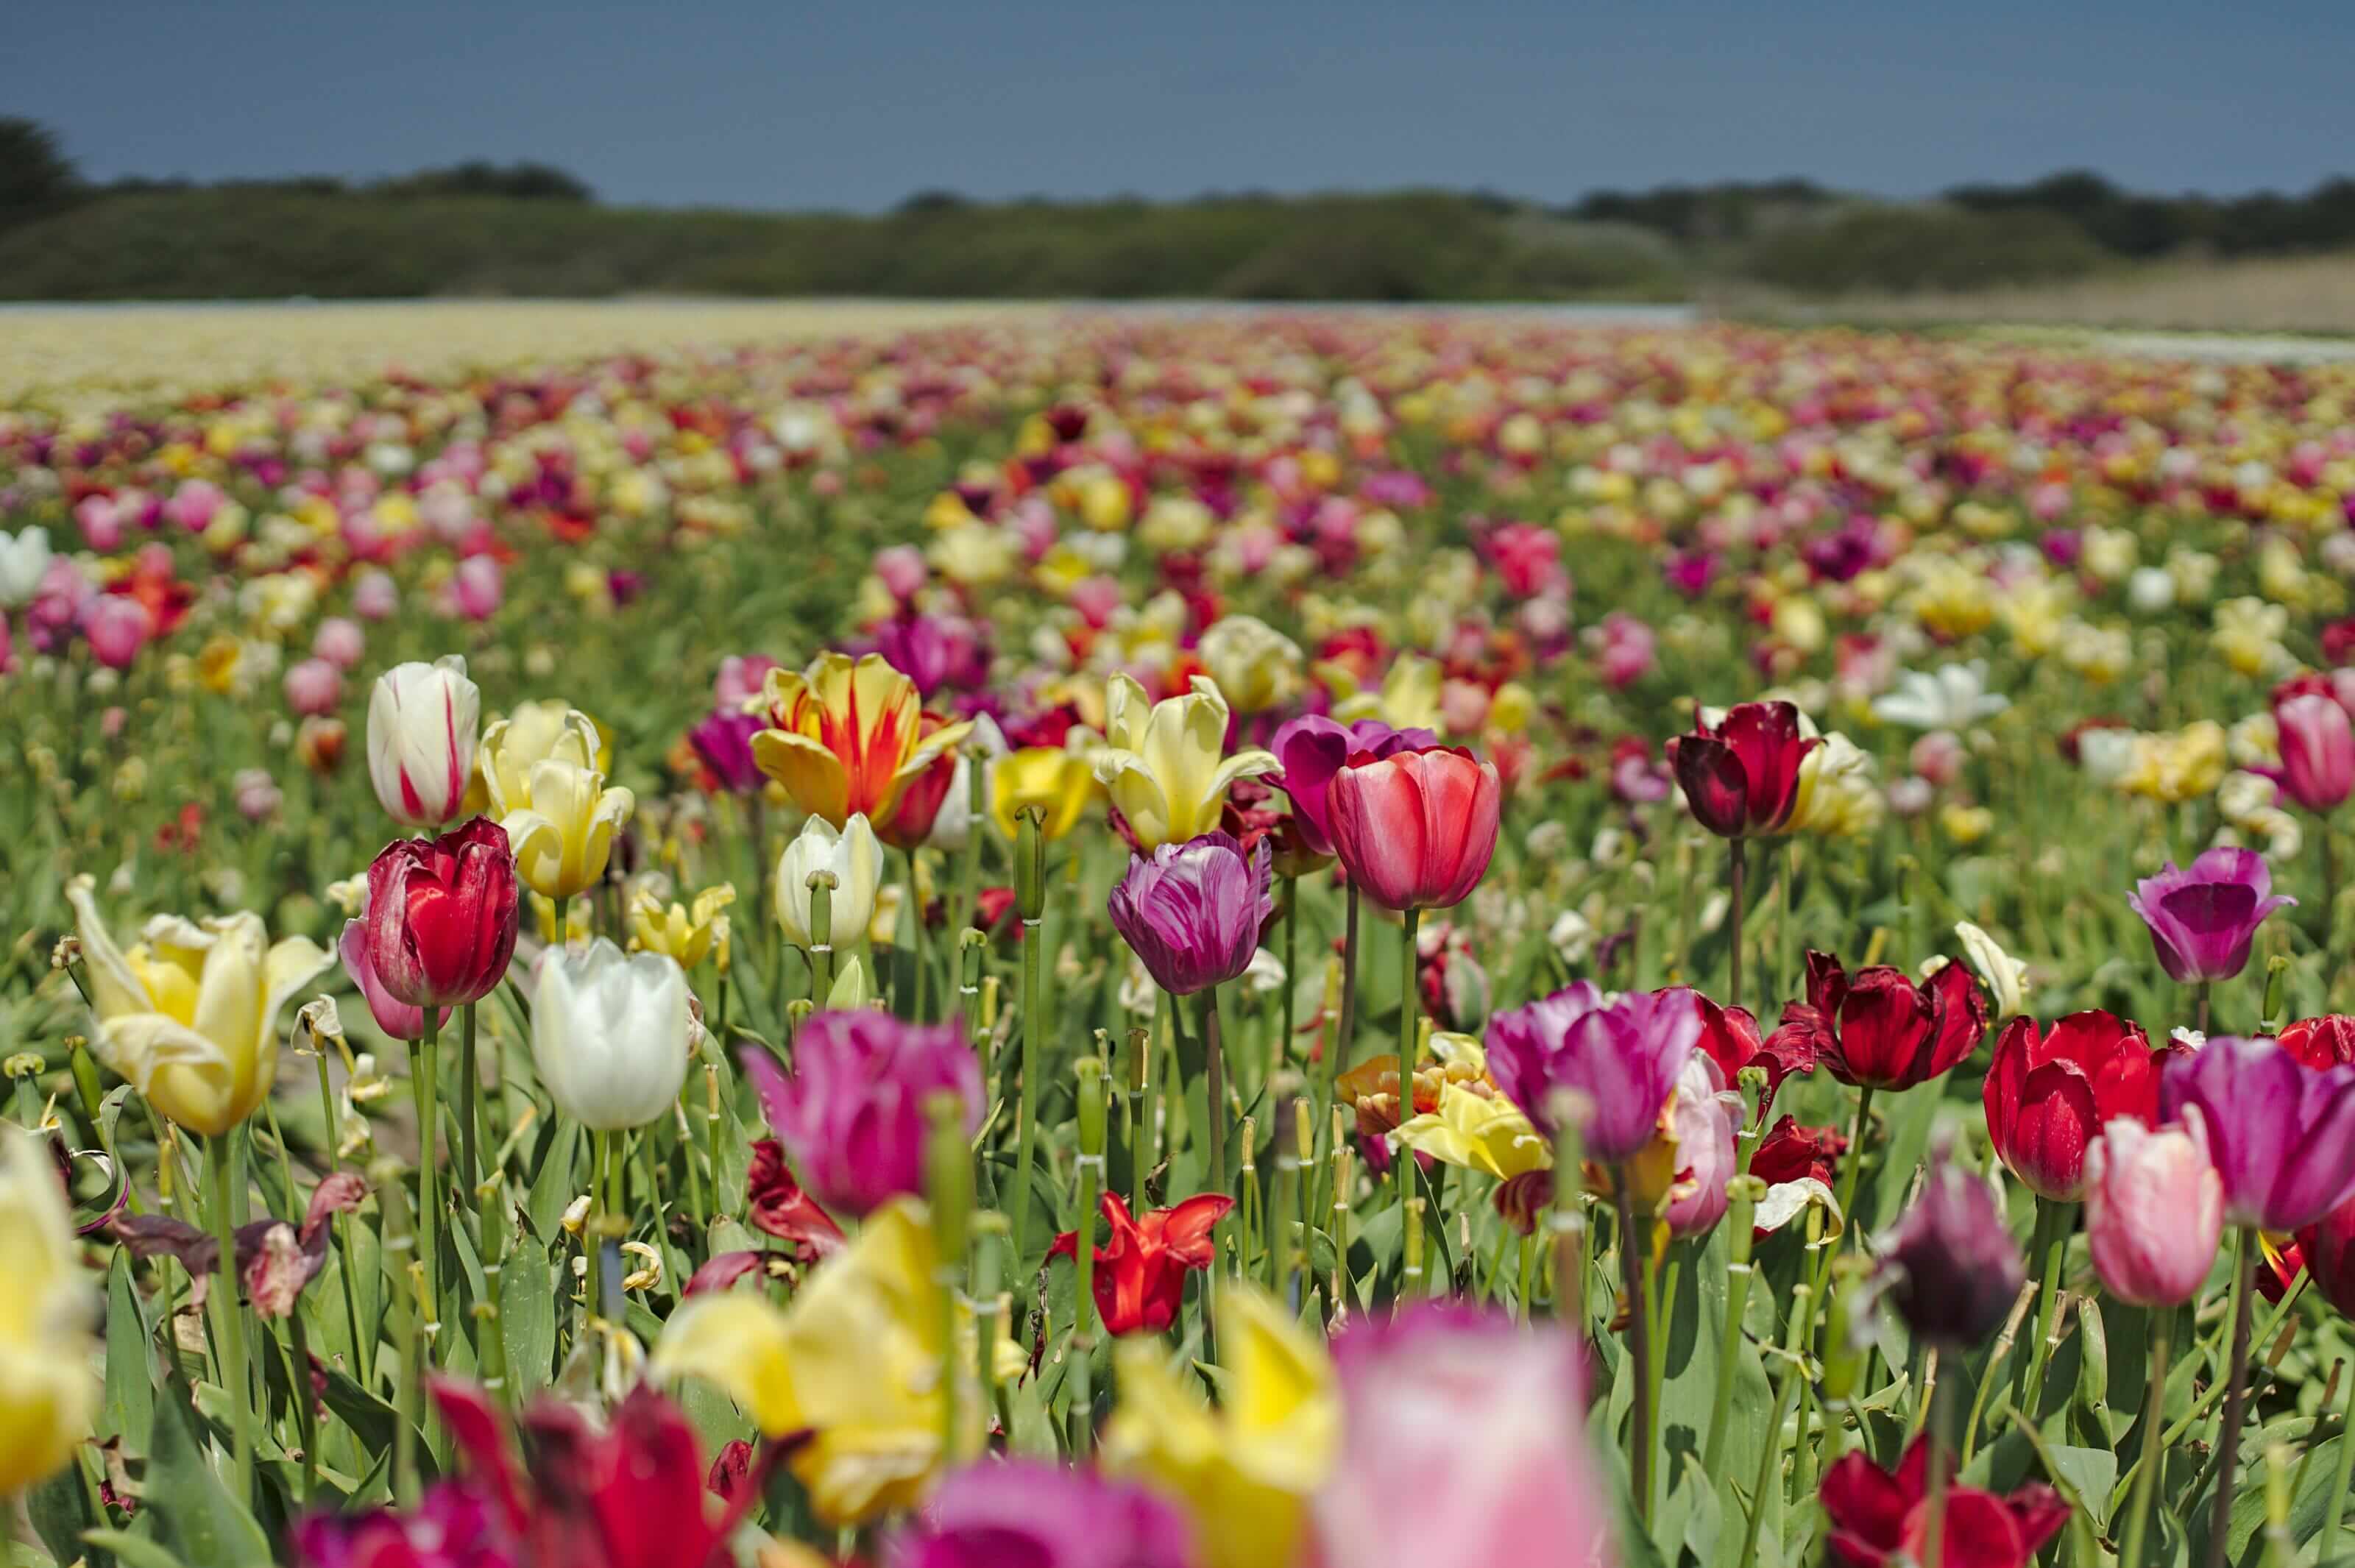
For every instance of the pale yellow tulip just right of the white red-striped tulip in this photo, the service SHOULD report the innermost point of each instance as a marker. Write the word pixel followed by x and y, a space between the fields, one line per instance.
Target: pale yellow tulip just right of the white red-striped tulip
pixel 550 792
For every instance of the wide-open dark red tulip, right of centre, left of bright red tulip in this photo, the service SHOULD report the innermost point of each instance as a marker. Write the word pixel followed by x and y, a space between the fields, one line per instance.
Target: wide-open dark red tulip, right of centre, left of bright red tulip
pixel 1878 1028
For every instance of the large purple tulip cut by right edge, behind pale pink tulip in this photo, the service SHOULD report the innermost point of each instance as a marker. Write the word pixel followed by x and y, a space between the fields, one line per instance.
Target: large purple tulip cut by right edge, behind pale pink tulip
pixel 2281 1134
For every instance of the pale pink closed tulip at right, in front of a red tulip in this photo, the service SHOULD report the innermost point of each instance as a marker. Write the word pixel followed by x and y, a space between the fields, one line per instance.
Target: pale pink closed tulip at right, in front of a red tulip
pixel 2154 1209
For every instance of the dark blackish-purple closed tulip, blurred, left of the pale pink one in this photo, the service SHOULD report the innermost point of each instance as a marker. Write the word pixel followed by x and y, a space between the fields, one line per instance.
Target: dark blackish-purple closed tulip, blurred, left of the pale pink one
pixel 1951 1265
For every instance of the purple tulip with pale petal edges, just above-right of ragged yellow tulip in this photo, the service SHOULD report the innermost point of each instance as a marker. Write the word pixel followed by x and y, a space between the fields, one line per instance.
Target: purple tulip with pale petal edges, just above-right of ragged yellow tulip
pixel 1624 1058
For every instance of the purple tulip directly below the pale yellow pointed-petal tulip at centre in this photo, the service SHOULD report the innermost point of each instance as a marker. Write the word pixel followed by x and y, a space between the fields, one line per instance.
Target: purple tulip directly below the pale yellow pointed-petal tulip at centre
pixel 1195 910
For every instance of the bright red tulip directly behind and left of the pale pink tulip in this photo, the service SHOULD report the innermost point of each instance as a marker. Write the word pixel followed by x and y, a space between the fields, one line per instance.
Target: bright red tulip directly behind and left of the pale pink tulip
pixel 2050 1094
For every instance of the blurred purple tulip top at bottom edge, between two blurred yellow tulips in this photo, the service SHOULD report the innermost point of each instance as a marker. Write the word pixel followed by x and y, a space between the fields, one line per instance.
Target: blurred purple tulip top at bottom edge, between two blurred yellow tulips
pixel 1042 1515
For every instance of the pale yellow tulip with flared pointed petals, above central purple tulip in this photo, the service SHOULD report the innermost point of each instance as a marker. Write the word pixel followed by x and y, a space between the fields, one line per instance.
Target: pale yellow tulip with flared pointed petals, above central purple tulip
pixel 1162 762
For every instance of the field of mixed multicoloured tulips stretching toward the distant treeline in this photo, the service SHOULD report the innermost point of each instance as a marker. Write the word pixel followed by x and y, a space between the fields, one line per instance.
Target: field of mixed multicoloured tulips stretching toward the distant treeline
pixel 1117 941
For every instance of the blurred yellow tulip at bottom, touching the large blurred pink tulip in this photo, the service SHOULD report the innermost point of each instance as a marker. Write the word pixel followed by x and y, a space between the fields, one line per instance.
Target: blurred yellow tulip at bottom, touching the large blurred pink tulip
pixel 1247 1473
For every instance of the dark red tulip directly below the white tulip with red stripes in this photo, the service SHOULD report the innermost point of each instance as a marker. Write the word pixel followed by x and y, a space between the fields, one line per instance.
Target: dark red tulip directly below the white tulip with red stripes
pixel 442 915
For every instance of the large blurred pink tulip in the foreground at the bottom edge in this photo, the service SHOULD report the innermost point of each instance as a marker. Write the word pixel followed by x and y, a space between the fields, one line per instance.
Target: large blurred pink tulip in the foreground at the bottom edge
pixel 1480 1423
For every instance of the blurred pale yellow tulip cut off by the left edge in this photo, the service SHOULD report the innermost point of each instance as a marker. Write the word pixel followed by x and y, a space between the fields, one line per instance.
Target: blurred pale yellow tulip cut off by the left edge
pixel 46 1388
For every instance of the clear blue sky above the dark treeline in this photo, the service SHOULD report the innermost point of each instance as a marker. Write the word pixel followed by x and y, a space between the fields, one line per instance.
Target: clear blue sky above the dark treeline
pixel 861 105
